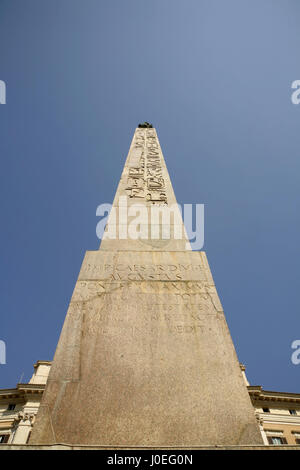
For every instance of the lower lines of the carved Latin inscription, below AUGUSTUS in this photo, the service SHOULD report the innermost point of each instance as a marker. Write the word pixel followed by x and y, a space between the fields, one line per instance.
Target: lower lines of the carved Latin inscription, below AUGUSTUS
pixel 179 308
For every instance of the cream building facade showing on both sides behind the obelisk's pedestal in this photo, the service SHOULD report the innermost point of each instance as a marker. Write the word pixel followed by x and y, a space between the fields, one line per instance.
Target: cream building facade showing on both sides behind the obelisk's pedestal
pixel 278 413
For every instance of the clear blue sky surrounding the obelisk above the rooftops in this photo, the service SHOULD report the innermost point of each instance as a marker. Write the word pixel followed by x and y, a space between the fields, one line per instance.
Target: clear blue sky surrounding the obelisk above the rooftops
pixel 214 78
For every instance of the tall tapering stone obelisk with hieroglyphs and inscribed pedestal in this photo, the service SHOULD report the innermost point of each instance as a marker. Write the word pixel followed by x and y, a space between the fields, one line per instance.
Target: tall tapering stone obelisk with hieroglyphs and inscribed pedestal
pixel 145 357
